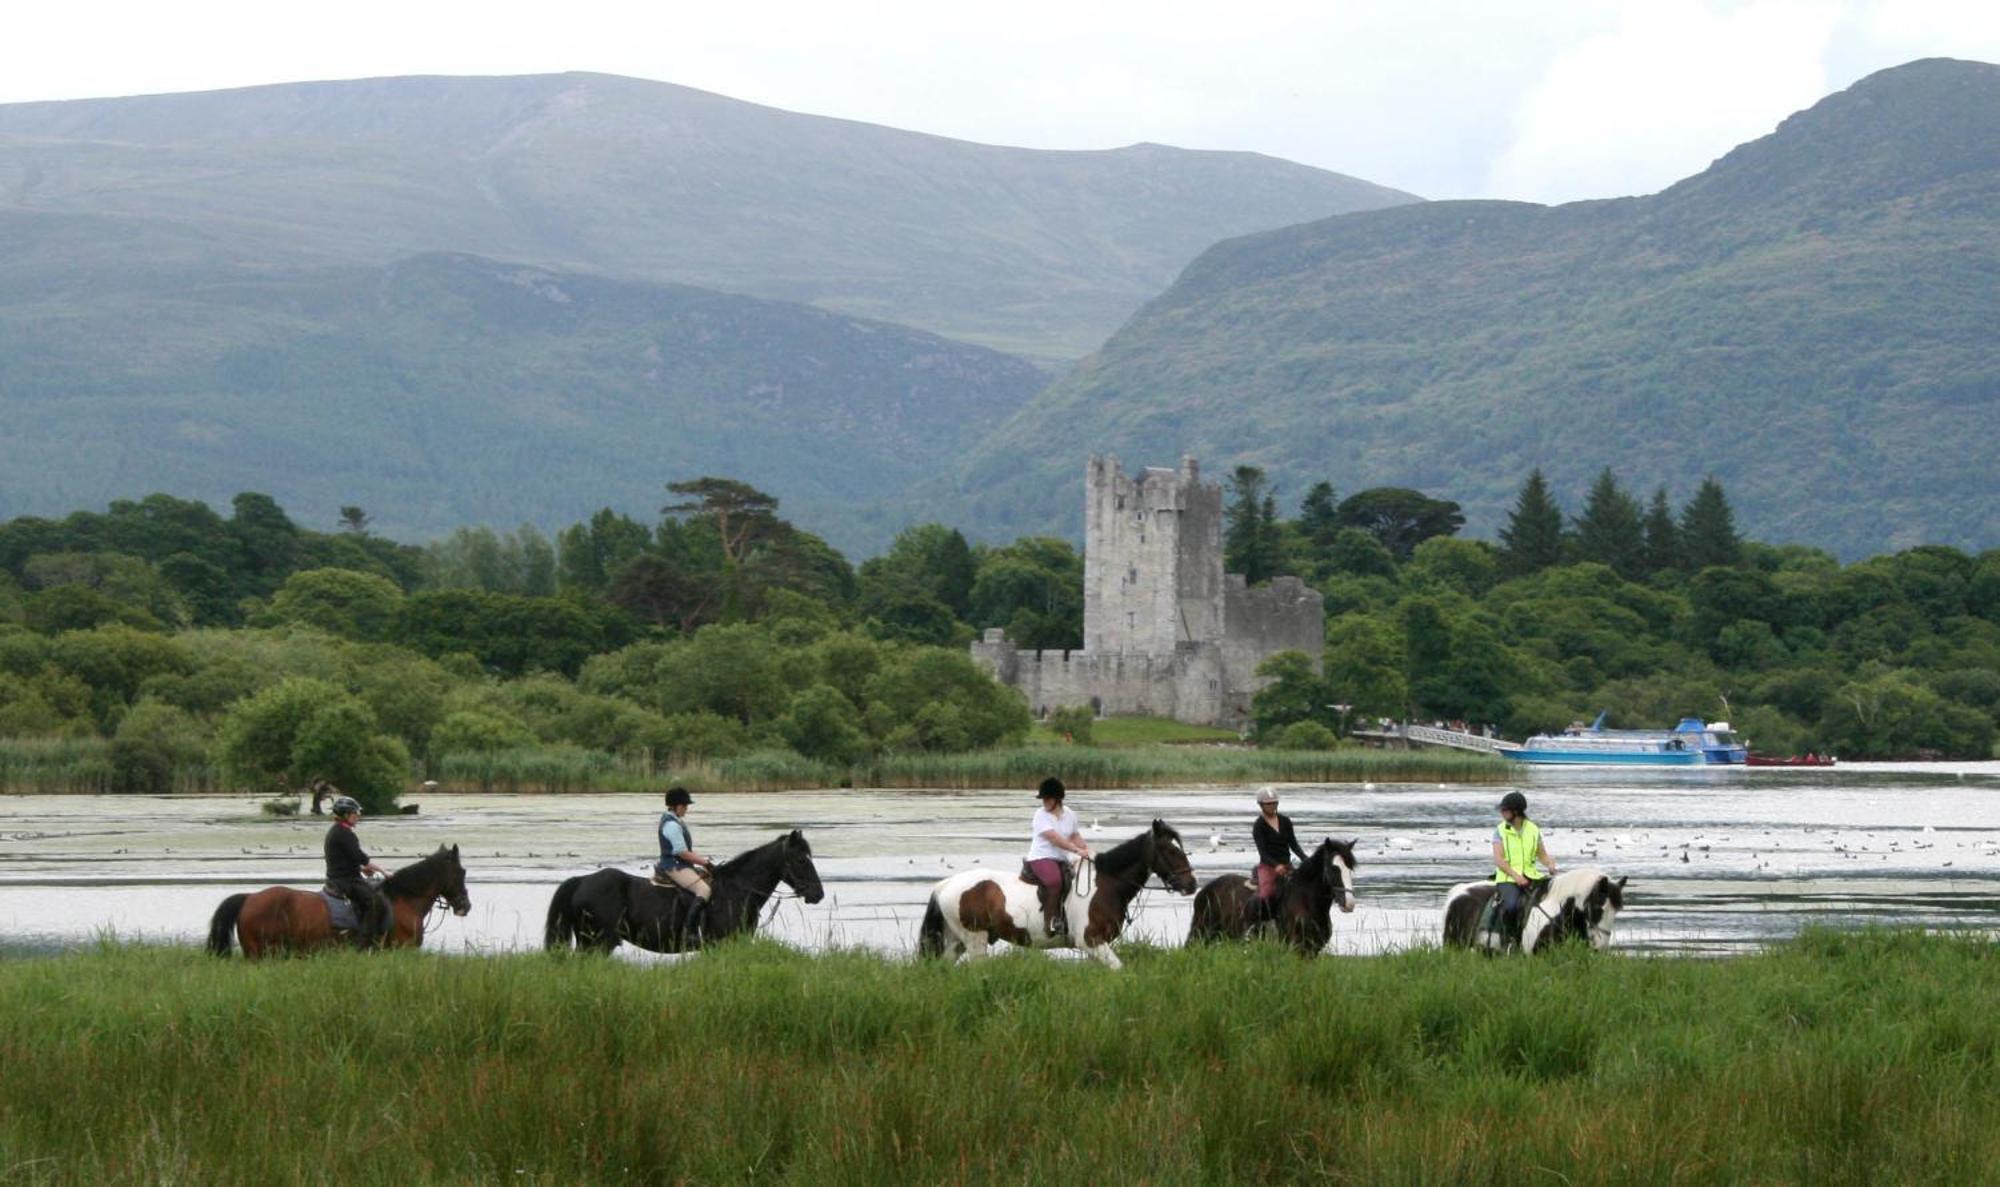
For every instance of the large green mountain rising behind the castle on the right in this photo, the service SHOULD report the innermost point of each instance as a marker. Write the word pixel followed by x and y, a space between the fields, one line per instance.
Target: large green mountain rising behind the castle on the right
pixel 1813 321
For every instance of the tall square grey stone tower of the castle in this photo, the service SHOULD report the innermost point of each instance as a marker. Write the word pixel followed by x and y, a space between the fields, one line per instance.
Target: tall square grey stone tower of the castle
pixel 1153 561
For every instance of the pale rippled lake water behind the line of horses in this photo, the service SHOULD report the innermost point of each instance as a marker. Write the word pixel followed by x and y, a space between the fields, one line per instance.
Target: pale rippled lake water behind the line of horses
pixel 1719 860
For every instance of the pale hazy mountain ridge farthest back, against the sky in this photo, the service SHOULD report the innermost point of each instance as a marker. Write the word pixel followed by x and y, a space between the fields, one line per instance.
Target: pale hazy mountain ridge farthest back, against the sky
pixel 1035 253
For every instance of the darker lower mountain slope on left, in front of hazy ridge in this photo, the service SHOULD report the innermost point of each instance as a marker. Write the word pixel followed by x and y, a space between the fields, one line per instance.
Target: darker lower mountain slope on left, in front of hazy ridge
pixel 445 391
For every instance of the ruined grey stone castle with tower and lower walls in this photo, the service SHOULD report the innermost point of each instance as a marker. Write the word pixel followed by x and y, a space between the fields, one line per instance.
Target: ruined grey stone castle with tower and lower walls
pixel 1167 632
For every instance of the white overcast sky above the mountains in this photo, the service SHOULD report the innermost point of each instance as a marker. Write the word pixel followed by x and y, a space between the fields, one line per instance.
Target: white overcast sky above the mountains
pixel 1451 99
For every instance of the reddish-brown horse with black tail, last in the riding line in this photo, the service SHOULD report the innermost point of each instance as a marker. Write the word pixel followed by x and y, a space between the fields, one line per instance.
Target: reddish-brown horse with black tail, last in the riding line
pixel 283 920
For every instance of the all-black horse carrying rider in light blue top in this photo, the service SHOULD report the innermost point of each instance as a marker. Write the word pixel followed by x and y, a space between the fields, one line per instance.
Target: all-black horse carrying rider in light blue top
pixel 599 910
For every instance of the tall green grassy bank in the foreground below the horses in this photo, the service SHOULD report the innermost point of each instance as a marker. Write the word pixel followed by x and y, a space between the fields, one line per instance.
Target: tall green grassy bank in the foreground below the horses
pixel 1833 1060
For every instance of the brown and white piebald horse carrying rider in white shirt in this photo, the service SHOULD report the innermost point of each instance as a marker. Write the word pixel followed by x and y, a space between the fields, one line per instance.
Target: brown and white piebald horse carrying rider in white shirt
pixel 971 910
